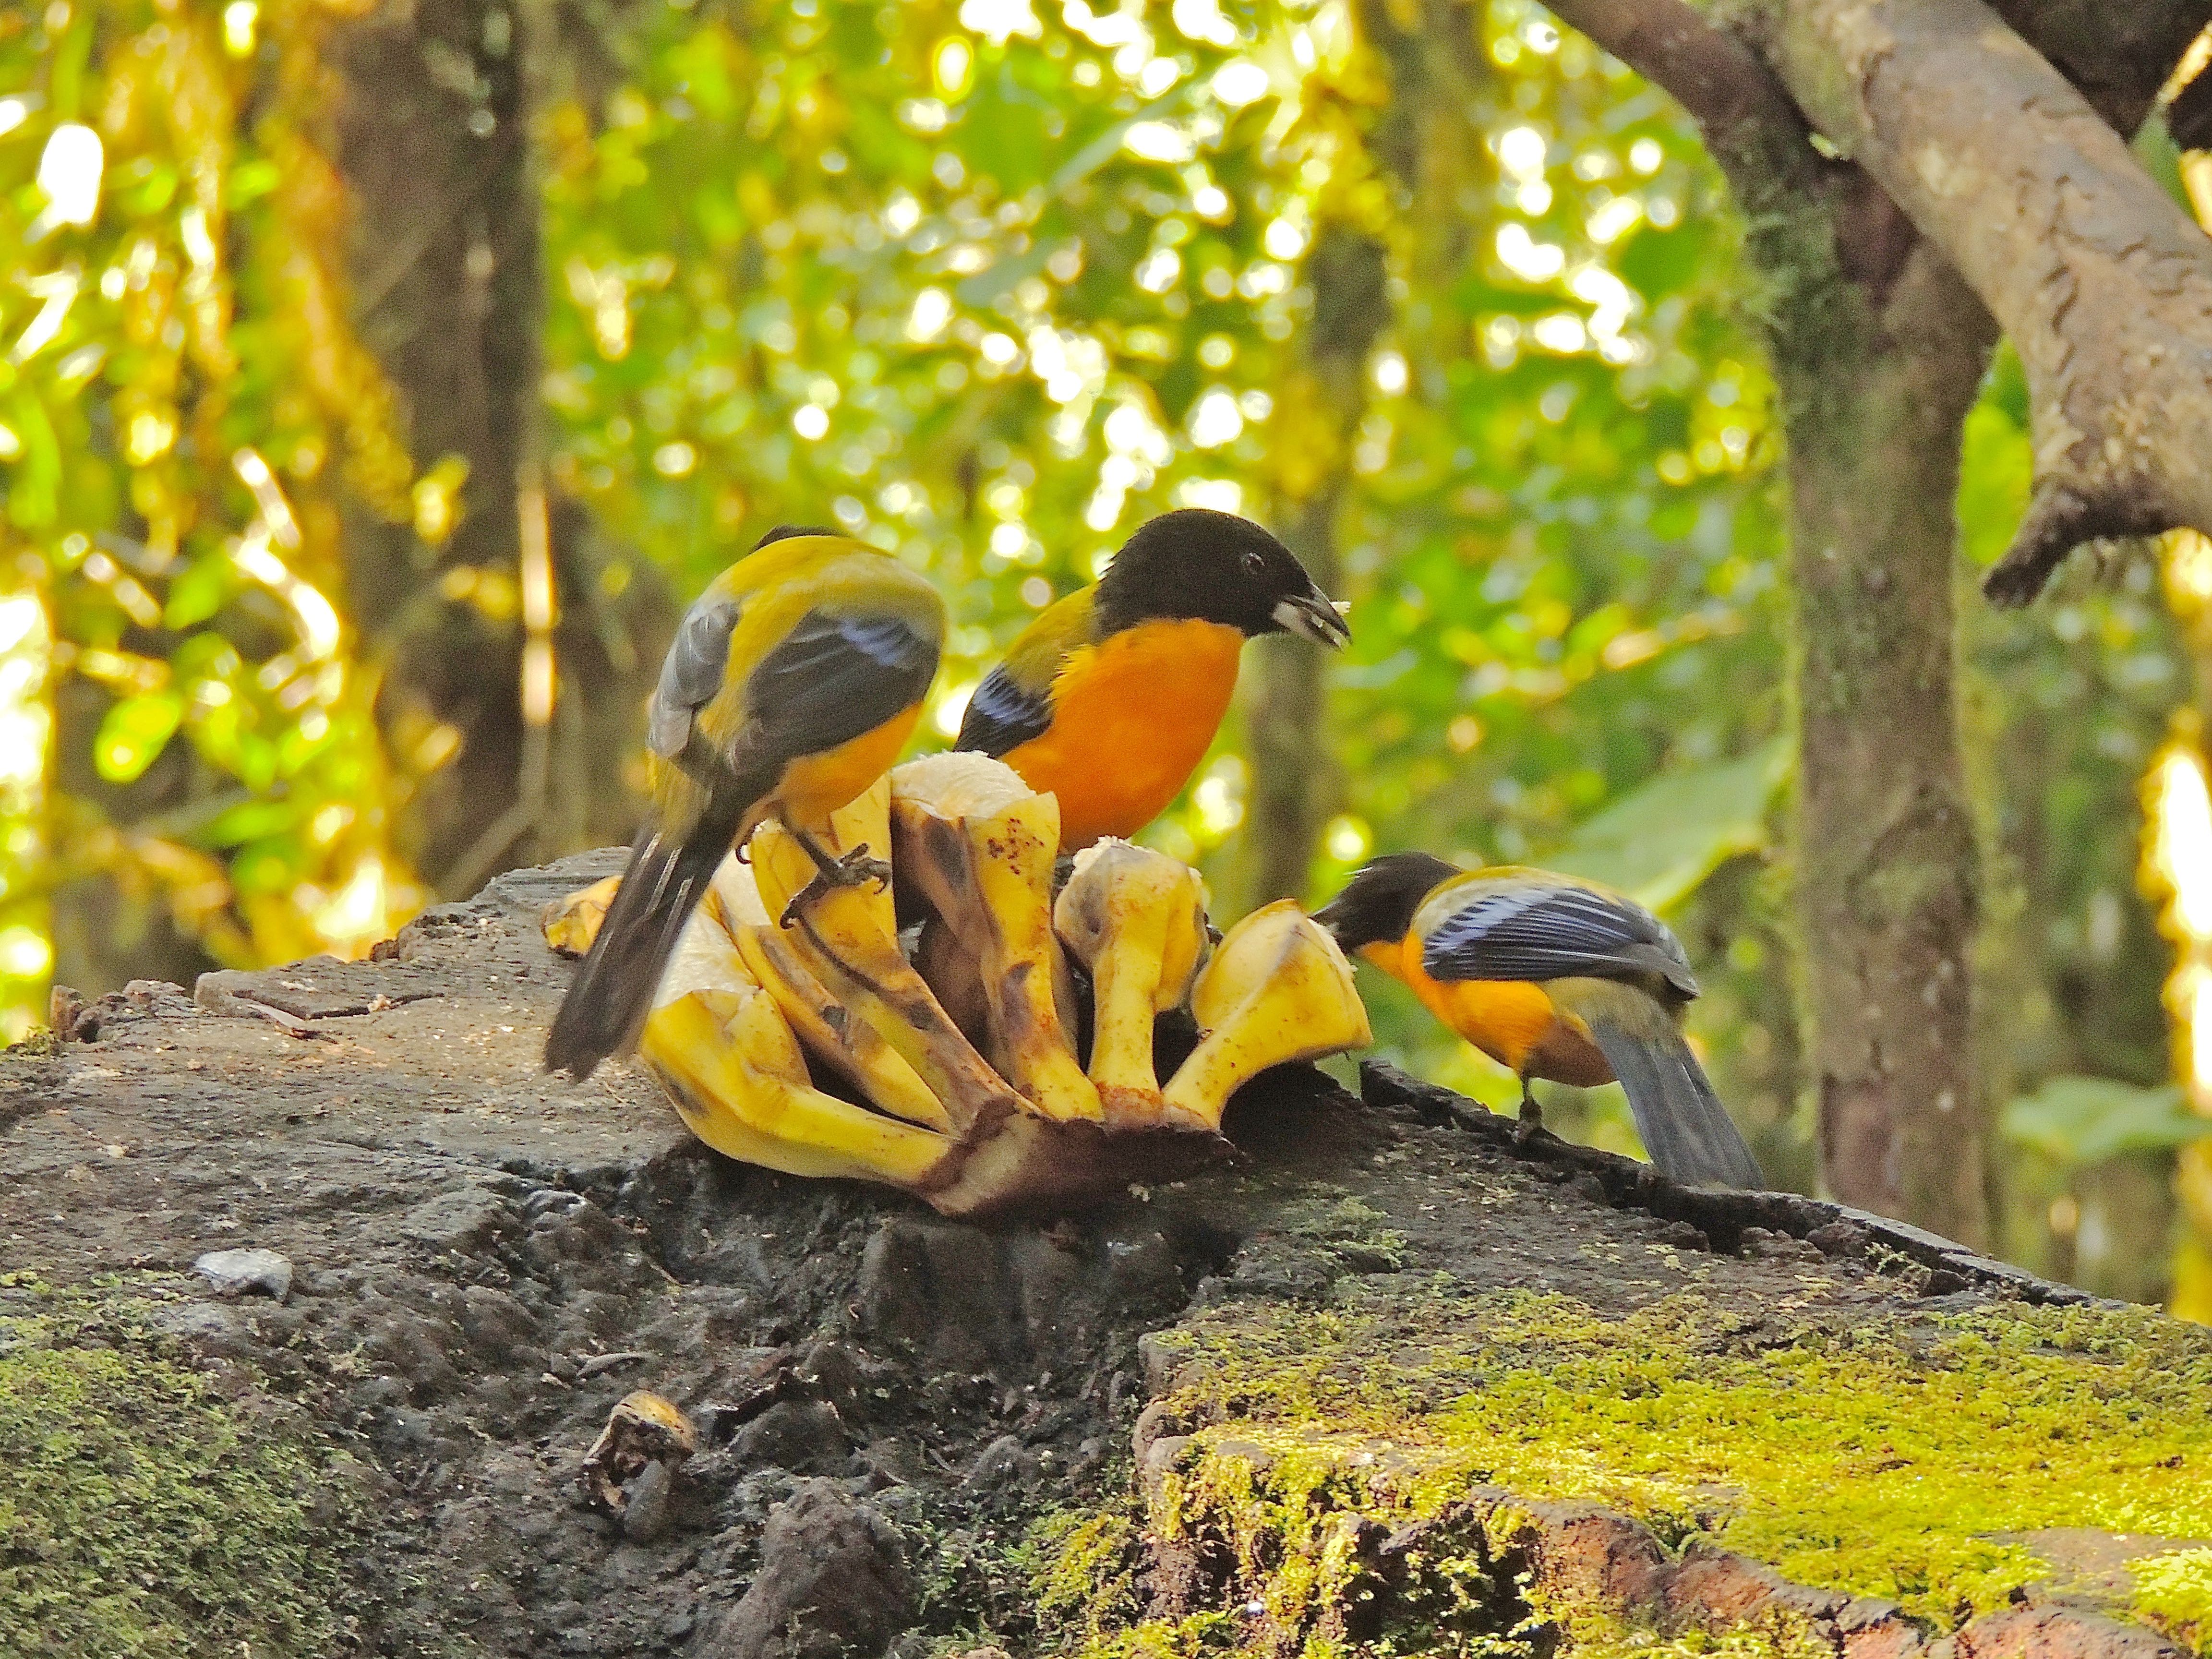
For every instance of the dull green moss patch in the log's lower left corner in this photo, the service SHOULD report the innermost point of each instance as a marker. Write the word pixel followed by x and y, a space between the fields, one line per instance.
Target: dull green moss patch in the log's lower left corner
pixel 143 1514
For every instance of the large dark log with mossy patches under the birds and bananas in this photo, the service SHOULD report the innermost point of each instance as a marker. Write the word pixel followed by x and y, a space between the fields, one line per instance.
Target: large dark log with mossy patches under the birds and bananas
pixel 1397 1386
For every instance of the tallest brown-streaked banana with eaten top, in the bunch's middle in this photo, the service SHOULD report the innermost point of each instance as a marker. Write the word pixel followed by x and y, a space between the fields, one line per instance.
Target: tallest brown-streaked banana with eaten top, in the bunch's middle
pixel 981 846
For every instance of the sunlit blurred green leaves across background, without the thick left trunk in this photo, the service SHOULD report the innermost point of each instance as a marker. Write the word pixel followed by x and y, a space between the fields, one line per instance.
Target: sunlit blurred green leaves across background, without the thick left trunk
pixel 992 282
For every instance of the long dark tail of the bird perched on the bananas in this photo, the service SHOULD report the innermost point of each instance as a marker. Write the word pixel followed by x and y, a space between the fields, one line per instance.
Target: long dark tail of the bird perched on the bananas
pixel 614 992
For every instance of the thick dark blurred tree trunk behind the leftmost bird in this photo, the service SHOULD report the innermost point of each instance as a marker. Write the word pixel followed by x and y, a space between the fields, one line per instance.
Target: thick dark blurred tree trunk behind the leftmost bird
pixel 448 280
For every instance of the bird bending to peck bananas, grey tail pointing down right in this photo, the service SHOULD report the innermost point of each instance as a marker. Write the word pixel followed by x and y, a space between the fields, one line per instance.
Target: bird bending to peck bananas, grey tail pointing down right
pixel 1556 979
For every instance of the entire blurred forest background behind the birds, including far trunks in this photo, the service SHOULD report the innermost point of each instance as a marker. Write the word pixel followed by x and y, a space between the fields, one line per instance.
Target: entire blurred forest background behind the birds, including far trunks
pixel 379 379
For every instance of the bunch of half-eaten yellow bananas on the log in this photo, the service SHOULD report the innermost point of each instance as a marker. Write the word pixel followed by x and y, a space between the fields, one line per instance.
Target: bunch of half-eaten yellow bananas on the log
pixel 970 1034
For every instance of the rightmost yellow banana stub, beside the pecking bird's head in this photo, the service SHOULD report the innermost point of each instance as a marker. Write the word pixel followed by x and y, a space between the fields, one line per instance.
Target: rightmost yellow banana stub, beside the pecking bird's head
pixel 1275 992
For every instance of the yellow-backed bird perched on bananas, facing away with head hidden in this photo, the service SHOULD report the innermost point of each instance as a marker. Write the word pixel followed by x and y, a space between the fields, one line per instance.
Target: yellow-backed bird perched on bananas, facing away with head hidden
pixel 791 687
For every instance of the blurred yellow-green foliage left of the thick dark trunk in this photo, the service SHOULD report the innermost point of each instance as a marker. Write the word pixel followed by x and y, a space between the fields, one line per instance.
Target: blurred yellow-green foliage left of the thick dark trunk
pixel 182 413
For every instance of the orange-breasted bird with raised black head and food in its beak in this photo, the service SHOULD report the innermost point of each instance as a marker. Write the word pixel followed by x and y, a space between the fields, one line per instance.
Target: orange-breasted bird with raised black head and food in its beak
pixel 1114 696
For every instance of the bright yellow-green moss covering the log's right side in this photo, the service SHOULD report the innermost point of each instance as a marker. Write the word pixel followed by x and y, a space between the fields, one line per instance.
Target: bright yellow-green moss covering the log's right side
pixel 1879 1459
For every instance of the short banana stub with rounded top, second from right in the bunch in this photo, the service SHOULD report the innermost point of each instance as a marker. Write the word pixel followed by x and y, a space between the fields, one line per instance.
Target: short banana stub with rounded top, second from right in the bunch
pixel 1136 919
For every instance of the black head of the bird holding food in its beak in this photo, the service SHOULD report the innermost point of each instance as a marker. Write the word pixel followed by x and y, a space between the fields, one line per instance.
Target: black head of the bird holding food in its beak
pixel 1215 567
